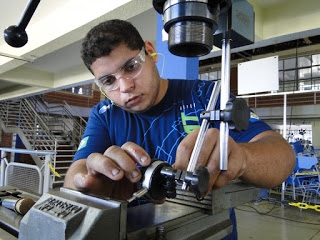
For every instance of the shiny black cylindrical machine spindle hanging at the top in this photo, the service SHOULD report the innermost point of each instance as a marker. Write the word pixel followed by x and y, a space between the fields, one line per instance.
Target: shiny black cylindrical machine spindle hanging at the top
pixel 190 25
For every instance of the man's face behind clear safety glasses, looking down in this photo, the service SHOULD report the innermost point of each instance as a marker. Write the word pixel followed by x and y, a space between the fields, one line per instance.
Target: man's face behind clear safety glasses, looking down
pixel 130 81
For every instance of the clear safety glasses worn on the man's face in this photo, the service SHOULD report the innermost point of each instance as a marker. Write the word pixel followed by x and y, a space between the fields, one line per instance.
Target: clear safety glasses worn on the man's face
pixel 131 69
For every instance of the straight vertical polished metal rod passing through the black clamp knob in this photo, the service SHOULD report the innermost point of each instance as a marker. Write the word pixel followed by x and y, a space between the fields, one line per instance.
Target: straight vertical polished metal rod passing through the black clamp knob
pixel 224 97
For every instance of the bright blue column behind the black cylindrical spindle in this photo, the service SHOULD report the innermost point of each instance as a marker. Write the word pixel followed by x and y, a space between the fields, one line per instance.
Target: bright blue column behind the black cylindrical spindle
pixel 171 66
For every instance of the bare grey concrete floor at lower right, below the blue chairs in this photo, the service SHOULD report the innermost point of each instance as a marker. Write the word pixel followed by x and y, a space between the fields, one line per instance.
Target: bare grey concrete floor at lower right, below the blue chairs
pixel 267 220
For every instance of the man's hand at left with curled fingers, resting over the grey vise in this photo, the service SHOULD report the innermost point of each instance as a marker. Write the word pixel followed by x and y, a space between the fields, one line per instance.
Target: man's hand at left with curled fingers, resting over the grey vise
pixel 112 174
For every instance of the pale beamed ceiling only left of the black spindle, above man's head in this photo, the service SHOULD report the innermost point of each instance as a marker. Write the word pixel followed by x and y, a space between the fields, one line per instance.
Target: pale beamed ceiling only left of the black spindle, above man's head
pixel 51 58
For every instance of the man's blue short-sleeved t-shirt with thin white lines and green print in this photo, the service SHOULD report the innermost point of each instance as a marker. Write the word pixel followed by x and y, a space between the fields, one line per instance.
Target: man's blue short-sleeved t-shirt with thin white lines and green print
pixel 160 129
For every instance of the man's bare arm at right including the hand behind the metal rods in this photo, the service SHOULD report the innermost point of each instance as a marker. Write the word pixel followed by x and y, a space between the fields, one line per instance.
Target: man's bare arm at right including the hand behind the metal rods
pixel 266 161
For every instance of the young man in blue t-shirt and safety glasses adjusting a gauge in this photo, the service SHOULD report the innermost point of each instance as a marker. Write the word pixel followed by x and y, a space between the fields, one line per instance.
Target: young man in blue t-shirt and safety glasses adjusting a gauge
pixel 145 116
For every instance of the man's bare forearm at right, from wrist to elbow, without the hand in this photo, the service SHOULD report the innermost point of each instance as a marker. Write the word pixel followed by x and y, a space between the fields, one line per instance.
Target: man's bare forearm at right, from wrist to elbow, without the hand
pixel 270 160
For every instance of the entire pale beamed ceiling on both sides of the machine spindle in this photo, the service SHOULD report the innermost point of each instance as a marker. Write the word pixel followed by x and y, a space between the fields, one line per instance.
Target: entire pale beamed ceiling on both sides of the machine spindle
pixel 51 58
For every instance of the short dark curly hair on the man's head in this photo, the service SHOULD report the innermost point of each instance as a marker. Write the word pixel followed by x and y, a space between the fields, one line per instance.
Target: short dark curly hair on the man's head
pixel 106 36
